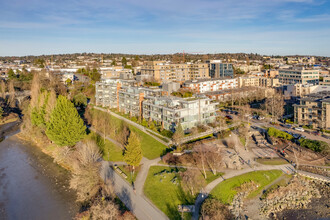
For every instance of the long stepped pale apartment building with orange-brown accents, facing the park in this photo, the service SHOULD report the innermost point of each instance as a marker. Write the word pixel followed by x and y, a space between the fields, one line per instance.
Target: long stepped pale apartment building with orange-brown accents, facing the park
pixel 154 104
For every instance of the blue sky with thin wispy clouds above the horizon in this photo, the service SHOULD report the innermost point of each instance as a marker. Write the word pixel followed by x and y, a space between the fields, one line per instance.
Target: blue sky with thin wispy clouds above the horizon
pixel 268 27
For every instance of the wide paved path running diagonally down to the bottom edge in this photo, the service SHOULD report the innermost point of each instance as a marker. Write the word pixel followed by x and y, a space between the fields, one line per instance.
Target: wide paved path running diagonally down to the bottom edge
pixel 138 204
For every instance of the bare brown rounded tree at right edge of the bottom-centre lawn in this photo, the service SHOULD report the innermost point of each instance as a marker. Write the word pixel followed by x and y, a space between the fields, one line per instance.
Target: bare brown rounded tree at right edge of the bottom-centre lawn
pixel 192 181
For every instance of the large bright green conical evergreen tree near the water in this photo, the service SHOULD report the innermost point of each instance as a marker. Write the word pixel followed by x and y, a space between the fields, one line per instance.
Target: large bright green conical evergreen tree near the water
pixel 65 127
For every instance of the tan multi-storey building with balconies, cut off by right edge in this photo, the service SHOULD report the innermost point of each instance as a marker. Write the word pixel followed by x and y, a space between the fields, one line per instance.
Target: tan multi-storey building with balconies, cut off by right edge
pixel 314 109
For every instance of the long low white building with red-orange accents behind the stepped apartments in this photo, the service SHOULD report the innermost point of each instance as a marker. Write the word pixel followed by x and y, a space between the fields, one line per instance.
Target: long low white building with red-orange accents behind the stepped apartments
pixel 208 85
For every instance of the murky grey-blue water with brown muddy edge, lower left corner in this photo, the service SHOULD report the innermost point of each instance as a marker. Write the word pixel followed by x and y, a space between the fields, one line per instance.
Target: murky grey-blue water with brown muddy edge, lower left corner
pixel 31 185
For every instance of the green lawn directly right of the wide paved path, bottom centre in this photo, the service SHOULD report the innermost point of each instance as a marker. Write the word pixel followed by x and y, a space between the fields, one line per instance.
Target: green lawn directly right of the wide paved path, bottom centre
pixel 165 194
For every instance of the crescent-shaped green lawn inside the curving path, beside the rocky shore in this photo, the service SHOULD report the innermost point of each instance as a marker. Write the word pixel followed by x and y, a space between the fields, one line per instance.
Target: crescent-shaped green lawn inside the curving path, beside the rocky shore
pixel 226 190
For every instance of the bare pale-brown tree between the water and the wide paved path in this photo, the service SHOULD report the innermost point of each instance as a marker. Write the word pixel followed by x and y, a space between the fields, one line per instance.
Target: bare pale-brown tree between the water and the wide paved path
pixel 86 170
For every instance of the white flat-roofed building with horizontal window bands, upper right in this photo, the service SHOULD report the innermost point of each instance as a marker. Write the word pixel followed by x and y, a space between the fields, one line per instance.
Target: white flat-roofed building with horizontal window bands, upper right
pixel 301 76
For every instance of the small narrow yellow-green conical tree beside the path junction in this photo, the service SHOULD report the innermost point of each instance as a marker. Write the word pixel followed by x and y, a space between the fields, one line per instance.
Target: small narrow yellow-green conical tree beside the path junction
pixel 133 151
